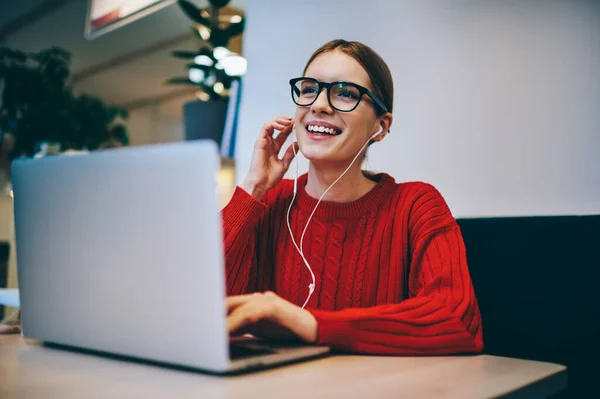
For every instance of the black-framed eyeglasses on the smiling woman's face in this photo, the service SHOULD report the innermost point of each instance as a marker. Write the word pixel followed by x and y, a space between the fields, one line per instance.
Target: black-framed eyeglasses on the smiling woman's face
pixel 342 96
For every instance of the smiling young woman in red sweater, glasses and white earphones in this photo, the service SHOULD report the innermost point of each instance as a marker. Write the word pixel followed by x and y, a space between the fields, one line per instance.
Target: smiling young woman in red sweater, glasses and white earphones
pixel 344 258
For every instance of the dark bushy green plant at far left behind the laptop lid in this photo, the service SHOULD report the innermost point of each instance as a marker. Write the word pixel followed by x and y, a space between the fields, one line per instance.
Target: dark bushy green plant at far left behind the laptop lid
pixel 37 106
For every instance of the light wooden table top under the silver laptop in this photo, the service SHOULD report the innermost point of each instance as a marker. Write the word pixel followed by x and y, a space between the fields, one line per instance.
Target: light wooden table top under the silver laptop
pixel 28 370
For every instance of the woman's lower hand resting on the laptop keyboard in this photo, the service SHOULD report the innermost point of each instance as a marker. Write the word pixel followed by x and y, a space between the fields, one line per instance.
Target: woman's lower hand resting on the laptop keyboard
pixel 270 316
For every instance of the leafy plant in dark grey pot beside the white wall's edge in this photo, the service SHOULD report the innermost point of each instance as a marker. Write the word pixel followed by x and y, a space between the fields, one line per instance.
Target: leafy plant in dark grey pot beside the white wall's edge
pixel 215 71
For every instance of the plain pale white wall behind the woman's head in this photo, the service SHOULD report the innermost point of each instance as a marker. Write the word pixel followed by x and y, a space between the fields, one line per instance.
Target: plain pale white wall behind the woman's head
pixel 497 103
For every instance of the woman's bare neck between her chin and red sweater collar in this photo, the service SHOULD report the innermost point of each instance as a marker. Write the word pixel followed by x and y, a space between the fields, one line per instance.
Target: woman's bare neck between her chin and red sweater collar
pixel 350 187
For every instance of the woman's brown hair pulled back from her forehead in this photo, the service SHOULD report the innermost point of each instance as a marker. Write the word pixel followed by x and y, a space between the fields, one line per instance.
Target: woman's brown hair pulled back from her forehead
pixel 374 65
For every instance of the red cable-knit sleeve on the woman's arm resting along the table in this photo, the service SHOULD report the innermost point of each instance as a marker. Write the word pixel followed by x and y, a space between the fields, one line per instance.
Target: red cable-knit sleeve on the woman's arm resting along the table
pixel 440 316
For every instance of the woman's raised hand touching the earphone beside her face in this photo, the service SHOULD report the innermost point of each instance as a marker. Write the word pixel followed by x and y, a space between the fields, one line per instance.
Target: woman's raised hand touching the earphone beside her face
pixel 266 168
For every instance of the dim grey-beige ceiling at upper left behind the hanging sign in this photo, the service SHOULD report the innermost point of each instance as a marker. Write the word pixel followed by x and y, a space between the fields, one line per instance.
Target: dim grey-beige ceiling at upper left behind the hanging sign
pixel 127 66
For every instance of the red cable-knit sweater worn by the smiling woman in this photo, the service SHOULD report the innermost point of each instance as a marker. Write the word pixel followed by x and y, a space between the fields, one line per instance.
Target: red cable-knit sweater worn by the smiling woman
pixel 390 267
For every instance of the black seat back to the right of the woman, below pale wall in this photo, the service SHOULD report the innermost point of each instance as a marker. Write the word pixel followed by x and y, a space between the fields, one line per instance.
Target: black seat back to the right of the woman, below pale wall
pixel 537 280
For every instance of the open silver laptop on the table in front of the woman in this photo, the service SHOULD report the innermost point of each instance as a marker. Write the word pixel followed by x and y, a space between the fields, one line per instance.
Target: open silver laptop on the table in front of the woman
pixel 121 252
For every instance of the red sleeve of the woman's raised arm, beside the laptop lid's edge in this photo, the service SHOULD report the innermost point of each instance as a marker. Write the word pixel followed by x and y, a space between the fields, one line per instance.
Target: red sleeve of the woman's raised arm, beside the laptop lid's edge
pixel 241 219
